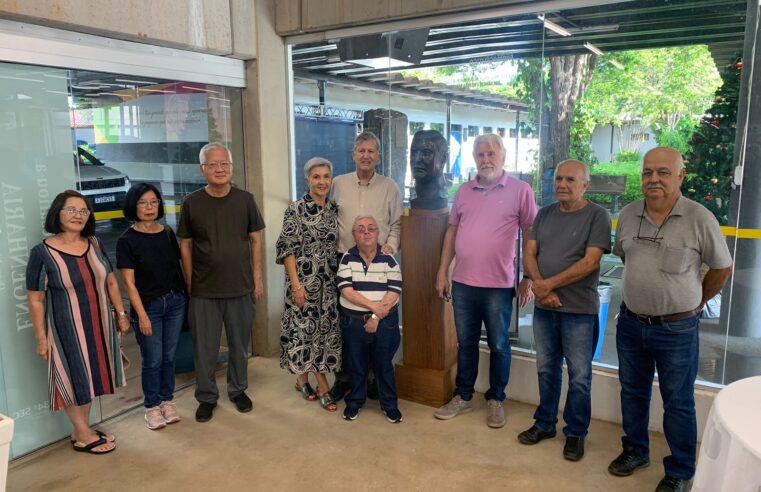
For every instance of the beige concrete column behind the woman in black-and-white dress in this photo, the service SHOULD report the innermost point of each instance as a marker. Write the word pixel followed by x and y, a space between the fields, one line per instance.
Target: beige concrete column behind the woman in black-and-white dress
pixel 266 127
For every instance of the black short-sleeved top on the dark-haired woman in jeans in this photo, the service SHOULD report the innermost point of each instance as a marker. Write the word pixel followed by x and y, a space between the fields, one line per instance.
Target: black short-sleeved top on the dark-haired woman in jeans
pixel 156 260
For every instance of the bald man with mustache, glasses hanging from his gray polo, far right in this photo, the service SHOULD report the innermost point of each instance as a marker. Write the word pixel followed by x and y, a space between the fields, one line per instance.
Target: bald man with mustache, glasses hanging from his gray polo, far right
pixel 663 241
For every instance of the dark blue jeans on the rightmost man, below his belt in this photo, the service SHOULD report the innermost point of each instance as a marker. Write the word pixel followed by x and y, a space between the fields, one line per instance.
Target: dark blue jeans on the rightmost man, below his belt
pixel 672 349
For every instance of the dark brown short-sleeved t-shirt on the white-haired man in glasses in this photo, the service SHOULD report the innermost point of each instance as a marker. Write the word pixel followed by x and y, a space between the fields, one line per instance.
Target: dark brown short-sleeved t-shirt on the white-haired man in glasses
pixel 219 228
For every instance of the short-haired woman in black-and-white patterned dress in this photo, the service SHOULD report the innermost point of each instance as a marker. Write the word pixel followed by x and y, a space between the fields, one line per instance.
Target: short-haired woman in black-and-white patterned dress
pixel 310 337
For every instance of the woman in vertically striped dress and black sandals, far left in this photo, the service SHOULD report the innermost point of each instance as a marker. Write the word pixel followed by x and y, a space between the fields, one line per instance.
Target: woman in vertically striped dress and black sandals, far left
pixel 69 283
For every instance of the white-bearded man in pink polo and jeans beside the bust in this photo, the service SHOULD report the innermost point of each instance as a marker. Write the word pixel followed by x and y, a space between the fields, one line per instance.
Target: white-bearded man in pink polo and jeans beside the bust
pixel 482 232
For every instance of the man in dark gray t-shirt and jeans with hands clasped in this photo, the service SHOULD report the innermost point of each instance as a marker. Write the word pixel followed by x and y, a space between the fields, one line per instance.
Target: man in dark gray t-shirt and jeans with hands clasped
pixel 562 258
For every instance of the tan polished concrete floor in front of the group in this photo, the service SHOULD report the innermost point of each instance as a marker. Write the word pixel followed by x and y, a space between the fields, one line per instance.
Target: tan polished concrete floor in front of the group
pixel 287 443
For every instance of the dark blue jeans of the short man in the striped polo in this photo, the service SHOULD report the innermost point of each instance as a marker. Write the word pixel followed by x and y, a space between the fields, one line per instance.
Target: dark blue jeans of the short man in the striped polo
pixel 361 348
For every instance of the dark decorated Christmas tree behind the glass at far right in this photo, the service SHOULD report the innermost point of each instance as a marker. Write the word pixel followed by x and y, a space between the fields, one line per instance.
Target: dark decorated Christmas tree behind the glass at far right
pixel 709 165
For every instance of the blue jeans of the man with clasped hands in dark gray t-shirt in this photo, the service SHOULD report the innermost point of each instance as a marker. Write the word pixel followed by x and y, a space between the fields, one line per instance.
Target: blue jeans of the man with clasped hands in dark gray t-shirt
pixel 571 336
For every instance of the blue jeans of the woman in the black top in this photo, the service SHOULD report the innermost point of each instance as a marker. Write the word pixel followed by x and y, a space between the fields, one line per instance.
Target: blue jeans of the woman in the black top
pixel 166 314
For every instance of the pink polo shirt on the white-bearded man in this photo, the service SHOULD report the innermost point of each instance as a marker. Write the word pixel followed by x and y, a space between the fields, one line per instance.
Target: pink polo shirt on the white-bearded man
pixel 487 228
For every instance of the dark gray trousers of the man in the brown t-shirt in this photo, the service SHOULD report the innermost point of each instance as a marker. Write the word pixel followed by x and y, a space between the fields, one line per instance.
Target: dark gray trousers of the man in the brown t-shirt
pixel 206 317
